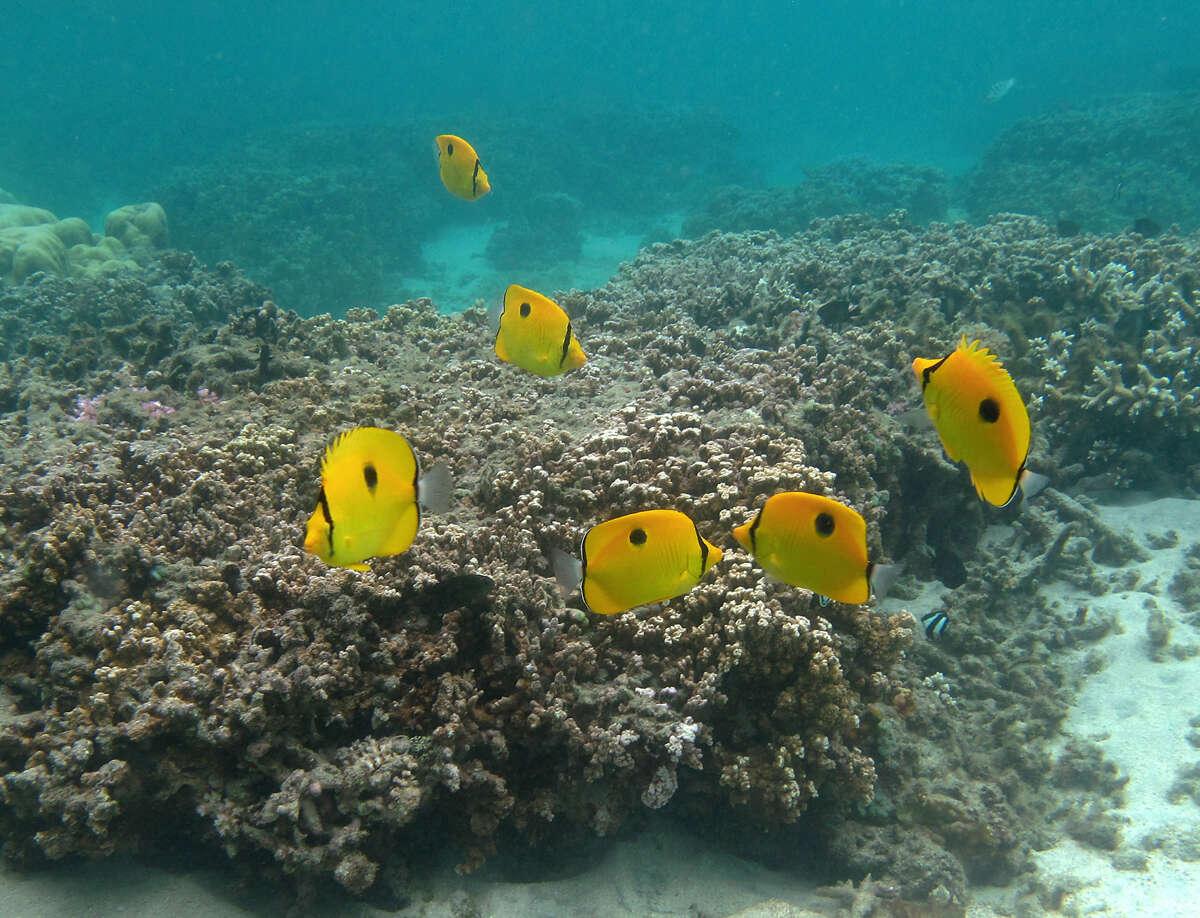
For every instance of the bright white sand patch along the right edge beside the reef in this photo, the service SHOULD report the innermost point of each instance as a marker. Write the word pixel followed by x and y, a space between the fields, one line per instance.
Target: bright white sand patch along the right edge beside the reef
pixel 1138 712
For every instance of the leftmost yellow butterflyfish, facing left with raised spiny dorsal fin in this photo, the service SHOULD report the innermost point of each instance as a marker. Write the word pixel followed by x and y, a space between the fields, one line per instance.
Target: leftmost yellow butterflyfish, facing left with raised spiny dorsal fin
pixel 371 494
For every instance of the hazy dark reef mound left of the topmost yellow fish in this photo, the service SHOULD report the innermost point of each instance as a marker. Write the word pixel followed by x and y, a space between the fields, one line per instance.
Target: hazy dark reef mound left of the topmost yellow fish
pixel 323 214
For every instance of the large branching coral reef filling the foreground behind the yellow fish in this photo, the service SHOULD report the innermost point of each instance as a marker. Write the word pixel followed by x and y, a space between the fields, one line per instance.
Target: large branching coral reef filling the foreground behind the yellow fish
pixel 176 659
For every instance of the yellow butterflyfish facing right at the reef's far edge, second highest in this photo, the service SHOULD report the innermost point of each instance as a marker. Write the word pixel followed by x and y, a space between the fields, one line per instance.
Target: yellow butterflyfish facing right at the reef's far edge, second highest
pixel 533 333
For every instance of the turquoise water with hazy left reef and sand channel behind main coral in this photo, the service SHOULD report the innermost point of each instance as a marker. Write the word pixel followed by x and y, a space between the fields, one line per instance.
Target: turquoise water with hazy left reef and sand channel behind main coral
pixel 295 141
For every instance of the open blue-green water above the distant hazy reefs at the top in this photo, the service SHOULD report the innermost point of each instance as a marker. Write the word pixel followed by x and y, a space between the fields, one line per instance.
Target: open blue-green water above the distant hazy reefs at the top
pixel 103 99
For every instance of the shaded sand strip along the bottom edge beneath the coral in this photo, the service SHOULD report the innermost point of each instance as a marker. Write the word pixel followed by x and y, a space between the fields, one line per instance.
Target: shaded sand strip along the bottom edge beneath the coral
pixel 663 873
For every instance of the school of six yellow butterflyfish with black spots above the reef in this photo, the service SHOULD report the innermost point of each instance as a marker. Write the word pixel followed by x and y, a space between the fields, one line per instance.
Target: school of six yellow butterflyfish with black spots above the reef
pixel 373 491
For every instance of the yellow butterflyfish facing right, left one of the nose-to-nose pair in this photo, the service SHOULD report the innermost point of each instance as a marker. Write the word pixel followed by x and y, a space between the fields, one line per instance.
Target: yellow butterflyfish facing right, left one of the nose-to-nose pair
pixel 637 560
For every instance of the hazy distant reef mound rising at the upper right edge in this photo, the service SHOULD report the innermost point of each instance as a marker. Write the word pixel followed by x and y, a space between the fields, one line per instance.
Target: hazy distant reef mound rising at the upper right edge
pixel 1102 165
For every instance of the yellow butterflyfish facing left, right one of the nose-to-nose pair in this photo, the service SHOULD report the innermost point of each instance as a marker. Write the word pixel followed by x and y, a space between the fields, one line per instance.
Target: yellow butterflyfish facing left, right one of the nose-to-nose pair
pixel 815 543
